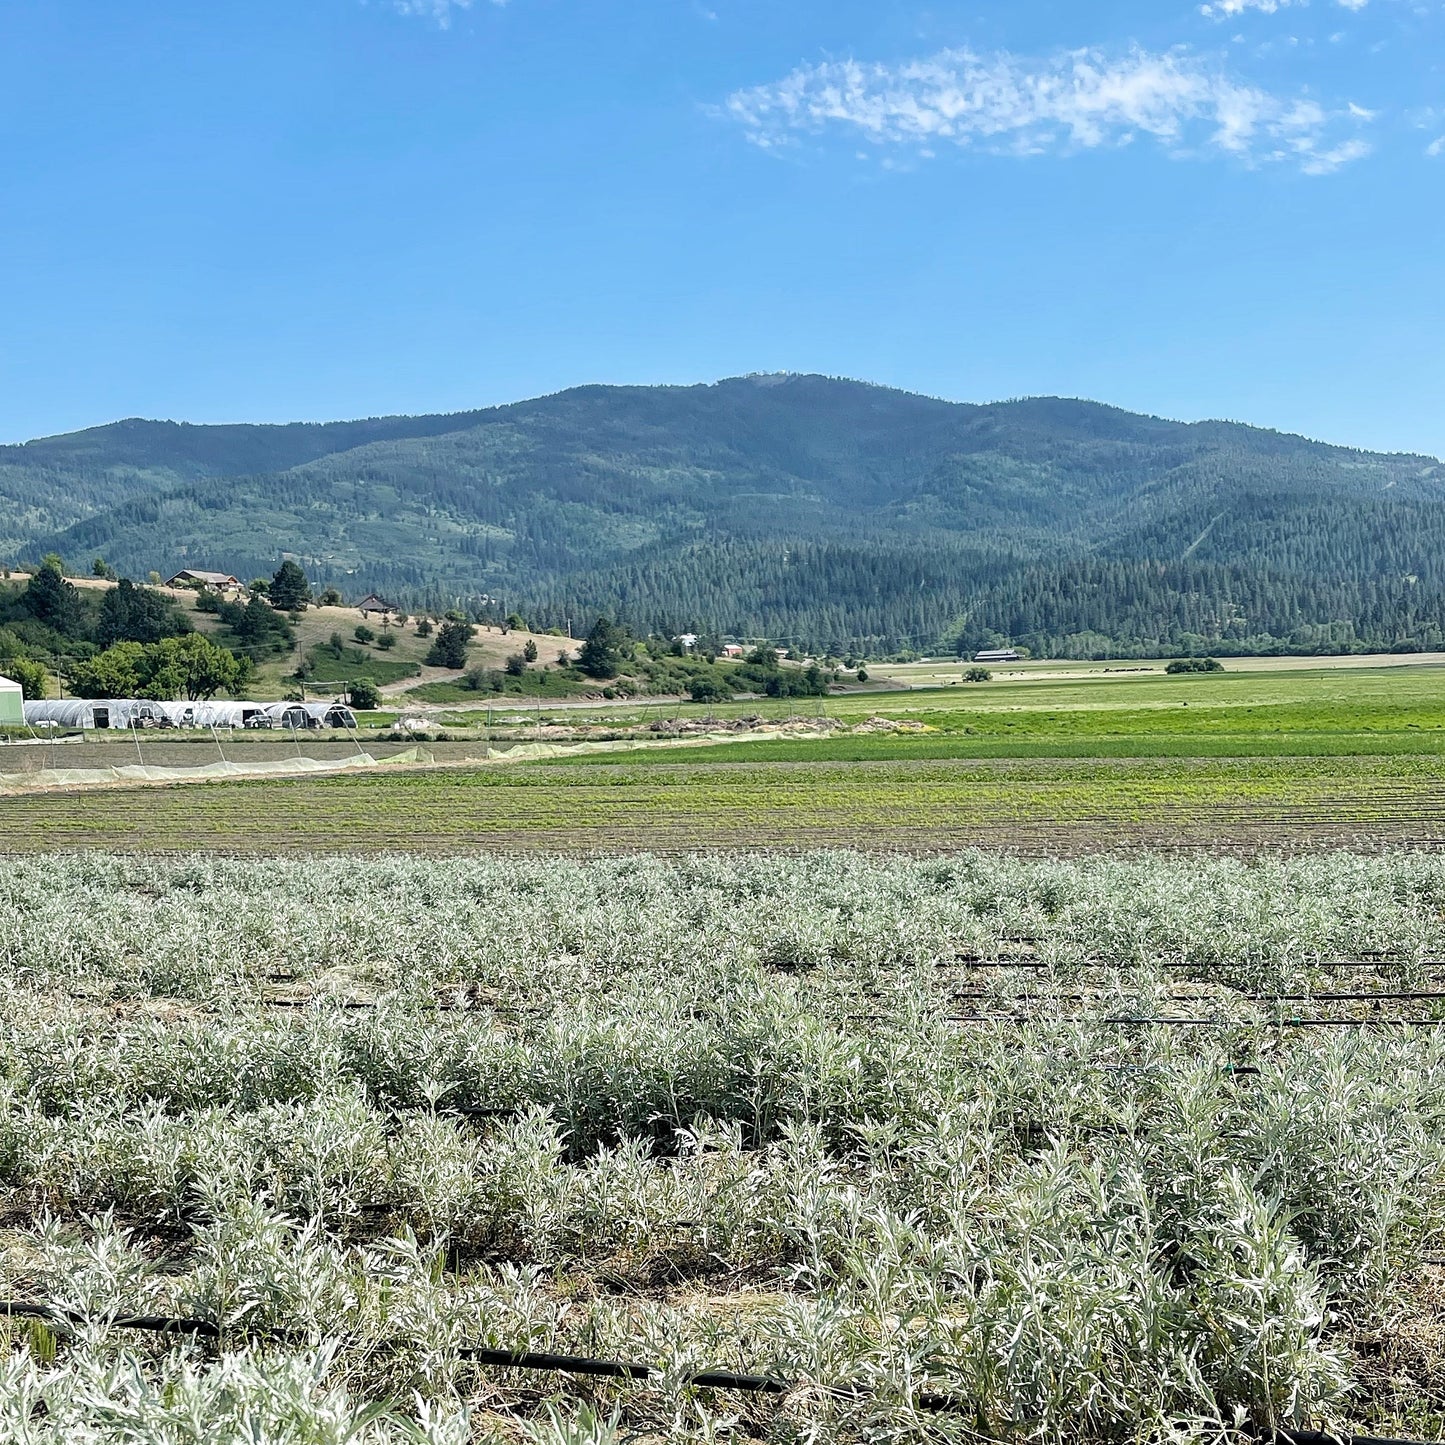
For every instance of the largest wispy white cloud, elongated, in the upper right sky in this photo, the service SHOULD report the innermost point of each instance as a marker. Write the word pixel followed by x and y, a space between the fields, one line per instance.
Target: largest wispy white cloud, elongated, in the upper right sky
pixel 1079 100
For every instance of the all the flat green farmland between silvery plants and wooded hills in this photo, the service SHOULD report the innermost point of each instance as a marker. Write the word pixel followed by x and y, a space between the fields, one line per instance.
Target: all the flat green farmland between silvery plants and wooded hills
pixel 1271 759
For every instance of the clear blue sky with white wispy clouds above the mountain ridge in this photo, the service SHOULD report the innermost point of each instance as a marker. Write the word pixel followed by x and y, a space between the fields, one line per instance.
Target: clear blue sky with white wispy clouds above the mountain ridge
pixel 275 210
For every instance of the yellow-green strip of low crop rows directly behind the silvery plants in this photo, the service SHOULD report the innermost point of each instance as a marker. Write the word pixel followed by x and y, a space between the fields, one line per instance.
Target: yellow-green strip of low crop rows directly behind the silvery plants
pixel 936 806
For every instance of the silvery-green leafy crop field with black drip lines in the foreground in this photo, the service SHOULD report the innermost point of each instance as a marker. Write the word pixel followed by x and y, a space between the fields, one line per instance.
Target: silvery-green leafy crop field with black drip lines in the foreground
pixel 826 1148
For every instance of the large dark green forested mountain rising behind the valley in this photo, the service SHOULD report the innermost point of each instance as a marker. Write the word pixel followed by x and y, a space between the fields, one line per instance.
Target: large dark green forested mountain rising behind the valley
pixel 829 514
